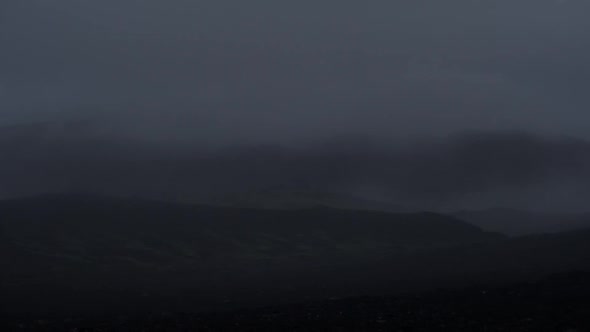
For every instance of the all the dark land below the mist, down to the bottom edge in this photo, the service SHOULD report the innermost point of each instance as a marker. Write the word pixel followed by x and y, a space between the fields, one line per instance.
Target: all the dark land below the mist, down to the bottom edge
pixel 76 263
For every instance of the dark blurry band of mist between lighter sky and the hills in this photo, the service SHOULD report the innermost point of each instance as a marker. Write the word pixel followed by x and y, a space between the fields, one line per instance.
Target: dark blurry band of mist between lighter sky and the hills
pixel 509 169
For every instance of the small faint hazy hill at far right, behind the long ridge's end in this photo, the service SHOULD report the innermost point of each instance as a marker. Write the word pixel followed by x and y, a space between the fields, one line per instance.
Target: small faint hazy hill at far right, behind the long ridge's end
pixel 522 222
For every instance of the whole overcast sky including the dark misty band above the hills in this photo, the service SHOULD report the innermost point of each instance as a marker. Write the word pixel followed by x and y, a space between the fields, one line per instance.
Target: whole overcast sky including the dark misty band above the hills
pixel 348 88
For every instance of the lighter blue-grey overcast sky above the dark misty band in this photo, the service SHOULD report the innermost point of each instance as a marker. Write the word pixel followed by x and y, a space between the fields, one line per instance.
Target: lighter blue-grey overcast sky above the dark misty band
pixel 267 71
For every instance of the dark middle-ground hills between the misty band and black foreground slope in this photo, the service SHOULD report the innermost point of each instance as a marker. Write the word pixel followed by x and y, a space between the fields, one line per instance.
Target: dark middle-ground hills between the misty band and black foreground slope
pixel 59 248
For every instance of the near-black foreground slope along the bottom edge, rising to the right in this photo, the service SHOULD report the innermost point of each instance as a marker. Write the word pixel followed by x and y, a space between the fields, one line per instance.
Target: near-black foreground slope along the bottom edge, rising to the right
pixel 557 303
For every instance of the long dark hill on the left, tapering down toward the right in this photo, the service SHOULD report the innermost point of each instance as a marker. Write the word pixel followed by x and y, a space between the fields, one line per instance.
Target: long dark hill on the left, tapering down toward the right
pixel 59 237
